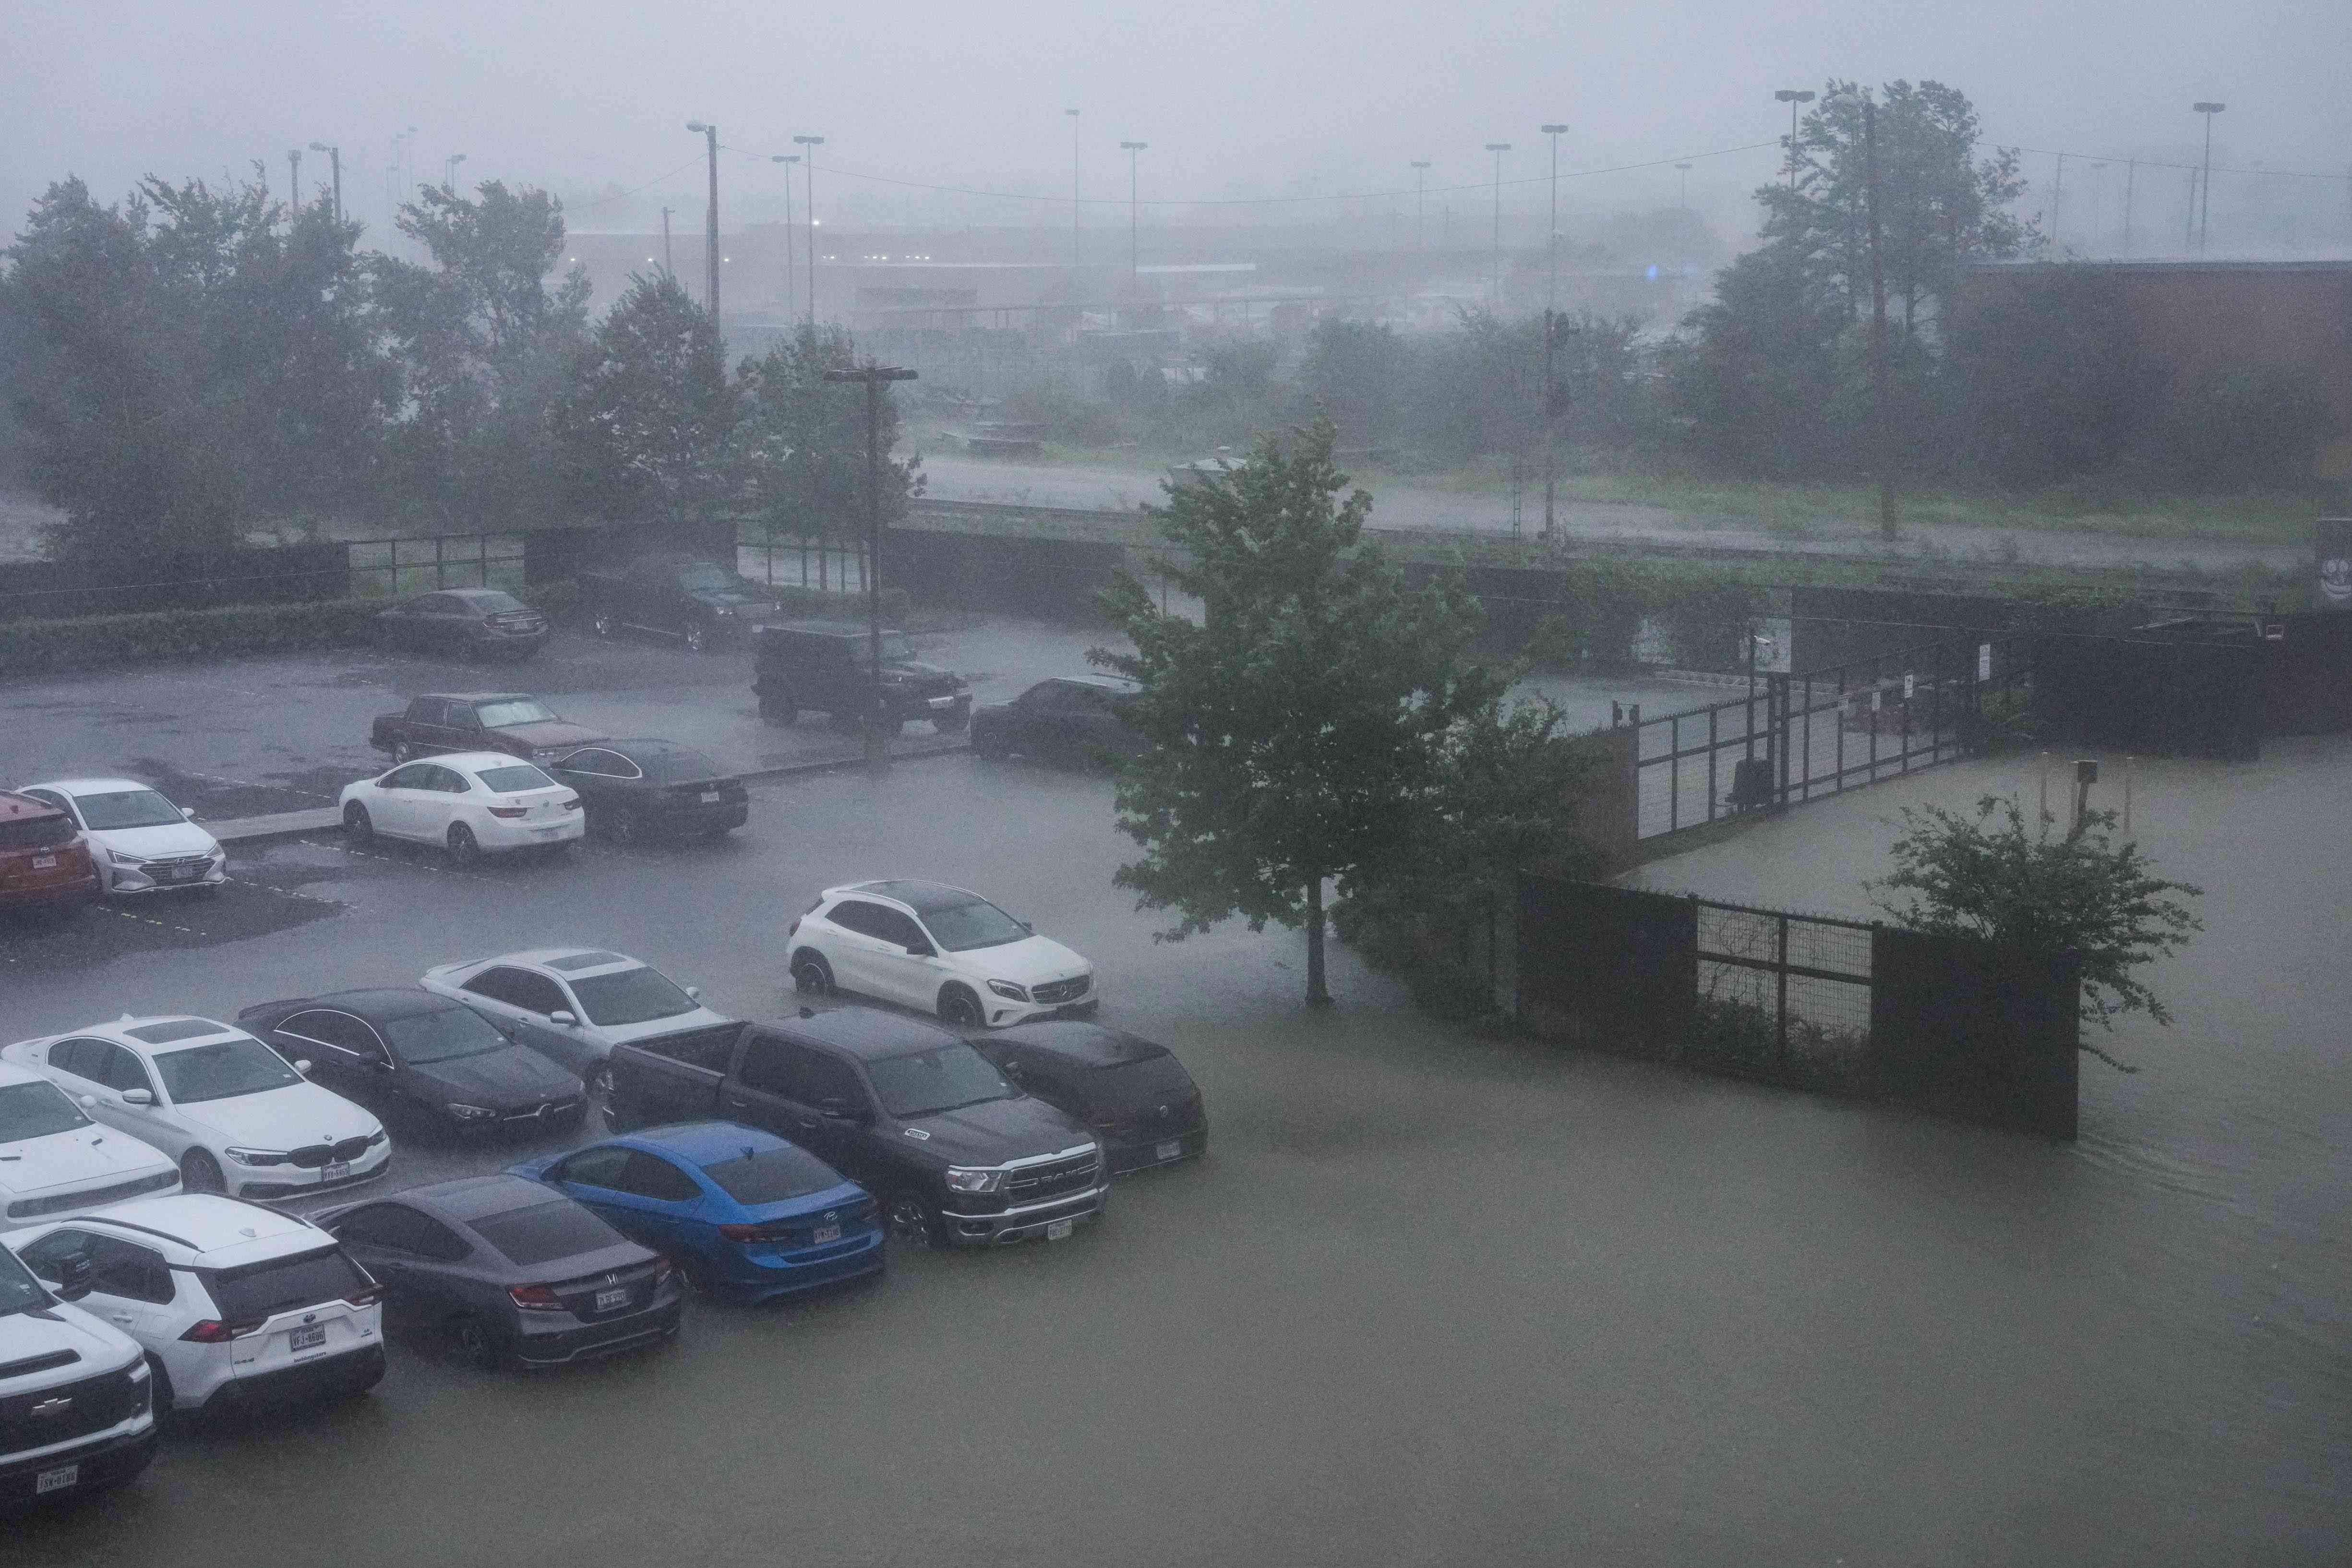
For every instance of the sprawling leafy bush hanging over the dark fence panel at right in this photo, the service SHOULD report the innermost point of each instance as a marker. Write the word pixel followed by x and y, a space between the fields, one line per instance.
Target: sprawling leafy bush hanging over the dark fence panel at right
pixel 2083 892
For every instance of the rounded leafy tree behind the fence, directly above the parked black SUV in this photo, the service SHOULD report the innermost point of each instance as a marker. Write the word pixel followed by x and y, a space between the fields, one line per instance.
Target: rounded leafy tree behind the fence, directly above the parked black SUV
pixel 646 420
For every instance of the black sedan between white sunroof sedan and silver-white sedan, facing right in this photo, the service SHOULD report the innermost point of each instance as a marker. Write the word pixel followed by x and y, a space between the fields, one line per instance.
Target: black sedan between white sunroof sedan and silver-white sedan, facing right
pixel 408 1050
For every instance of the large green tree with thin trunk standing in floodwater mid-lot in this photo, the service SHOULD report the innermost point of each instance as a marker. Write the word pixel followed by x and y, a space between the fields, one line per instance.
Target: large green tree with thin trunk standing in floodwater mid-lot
pixel 1302 732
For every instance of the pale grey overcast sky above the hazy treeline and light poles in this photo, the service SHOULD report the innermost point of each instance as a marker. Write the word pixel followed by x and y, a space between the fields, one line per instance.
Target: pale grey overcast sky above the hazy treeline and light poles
pixel 1234 95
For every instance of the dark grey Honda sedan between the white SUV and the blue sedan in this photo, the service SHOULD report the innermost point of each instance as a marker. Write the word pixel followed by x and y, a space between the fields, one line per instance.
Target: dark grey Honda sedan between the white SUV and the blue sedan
pixel 514 1273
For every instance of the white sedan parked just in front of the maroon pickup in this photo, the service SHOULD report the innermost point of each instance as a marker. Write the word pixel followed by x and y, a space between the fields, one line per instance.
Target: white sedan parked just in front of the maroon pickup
pixel 467 803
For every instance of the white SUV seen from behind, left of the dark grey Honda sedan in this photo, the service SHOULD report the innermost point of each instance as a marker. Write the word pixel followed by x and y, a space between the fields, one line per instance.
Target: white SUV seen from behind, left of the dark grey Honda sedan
pixel 234 1304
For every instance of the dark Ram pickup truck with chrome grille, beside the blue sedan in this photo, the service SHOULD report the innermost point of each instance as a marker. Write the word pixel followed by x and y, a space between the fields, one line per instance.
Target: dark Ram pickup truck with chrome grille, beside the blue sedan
pixel 916 1115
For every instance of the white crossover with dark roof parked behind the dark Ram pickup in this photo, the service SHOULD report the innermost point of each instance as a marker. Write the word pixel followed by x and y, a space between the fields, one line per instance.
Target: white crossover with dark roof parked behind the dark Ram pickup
pixel 937 949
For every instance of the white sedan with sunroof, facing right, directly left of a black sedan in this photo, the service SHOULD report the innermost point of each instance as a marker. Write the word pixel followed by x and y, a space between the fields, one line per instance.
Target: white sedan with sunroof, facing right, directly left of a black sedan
pixel 218 1101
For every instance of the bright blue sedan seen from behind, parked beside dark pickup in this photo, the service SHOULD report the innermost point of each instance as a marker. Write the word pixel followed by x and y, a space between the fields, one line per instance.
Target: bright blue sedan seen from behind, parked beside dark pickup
pixel 742 1212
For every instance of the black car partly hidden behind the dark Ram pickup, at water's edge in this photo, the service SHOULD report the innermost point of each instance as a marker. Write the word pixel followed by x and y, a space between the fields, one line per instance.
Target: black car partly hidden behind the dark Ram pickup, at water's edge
pixel 1130 1092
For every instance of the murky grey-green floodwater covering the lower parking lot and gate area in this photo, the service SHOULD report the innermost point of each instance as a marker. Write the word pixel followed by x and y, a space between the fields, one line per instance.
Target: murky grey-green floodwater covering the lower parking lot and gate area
pixel 1431 1299
